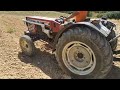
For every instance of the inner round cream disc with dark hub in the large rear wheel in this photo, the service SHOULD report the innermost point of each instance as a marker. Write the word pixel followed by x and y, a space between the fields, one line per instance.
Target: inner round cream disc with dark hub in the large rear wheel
pixel 78 56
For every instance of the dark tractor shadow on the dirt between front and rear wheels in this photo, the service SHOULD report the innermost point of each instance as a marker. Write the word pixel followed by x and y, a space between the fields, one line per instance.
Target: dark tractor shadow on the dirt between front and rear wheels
pixel 45 62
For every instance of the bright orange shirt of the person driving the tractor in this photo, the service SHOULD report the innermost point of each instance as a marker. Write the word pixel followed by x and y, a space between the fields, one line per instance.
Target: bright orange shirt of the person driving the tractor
pixel 81 16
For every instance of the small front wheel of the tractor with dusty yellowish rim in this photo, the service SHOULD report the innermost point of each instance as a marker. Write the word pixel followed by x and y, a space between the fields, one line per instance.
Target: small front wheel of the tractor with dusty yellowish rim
pixel 27 45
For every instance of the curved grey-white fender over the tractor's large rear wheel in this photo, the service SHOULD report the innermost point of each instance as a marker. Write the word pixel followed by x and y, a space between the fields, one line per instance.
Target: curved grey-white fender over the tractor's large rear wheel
pixel 103 30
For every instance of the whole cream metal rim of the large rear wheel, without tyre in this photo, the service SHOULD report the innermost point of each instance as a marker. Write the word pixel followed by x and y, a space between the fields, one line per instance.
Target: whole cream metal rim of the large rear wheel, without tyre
pixel 79 58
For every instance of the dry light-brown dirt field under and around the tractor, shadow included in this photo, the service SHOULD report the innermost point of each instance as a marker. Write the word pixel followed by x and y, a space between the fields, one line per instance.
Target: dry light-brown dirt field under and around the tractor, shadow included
pixel 14 65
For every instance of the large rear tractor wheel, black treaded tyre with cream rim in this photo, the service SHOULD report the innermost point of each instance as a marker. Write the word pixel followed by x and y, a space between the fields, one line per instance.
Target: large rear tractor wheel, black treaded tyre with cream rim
pixel 84 54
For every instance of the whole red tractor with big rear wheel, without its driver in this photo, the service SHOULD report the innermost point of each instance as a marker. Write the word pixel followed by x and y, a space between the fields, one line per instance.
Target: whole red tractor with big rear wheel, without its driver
pixel 82 49
